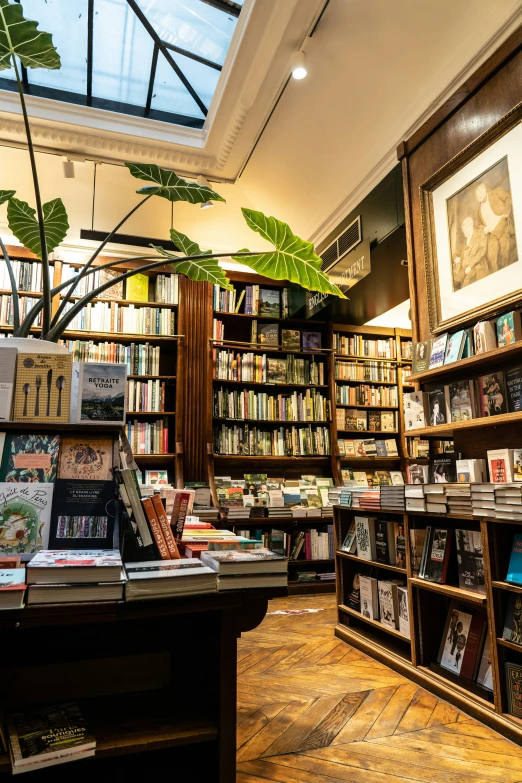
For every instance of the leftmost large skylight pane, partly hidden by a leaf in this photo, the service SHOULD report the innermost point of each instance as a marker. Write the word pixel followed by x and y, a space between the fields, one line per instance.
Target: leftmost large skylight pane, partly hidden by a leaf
pixel 67 22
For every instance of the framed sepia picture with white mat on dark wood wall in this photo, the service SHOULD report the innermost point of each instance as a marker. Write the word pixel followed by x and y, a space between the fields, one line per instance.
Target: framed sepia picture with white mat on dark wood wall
pixel 472 223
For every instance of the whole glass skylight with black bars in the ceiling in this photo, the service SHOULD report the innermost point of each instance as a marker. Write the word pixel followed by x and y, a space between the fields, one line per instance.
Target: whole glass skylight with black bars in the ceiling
pixel 149 58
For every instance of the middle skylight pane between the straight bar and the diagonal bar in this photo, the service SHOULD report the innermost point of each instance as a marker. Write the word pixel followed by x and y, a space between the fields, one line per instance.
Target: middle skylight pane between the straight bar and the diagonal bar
pixel 122 54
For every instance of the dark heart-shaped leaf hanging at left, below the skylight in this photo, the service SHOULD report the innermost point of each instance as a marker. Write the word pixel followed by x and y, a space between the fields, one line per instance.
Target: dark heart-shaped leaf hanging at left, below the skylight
pixel 22 222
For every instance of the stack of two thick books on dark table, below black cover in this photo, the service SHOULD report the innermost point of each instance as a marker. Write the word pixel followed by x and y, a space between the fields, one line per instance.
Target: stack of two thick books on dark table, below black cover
pixel 72 576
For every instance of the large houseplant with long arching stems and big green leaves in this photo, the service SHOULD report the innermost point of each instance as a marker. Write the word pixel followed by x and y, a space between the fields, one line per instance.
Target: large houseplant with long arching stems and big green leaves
pixel 42 229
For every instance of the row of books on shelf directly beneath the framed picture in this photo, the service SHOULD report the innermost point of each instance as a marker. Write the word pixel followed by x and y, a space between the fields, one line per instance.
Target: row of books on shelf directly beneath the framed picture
pixel 484 336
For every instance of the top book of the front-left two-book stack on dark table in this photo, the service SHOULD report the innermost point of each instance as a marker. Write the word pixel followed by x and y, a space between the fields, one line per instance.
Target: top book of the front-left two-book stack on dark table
pixel 58 566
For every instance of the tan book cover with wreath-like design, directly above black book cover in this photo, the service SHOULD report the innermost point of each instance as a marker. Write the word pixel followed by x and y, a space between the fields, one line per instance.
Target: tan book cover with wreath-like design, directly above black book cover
pixel 86 458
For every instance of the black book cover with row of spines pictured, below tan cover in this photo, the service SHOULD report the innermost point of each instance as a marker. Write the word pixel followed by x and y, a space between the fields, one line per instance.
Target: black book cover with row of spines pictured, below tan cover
pixel 83 514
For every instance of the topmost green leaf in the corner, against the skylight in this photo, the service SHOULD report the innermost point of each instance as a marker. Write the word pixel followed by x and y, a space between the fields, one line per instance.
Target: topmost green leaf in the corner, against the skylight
pixel 20 37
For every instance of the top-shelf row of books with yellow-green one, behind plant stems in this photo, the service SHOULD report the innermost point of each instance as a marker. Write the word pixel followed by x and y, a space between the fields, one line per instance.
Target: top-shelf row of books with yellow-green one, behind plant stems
pixel 138 288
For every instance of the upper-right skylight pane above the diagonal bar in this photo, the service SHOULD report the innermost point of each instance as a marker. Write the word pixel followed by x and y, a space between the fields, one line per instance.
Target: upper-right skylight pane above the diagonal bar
pixel 192 25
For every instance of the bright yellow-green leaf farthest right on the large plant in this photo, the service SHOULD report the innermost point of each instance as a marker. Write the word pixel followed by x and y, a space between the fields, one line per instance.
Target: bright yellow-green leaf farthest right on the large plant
pixel 293 259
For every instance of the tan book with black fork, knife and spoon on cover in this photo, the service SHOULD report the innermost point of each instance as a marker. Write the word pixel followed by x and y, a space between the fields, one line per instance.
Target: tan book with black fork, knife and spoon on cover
pixel 43 387
